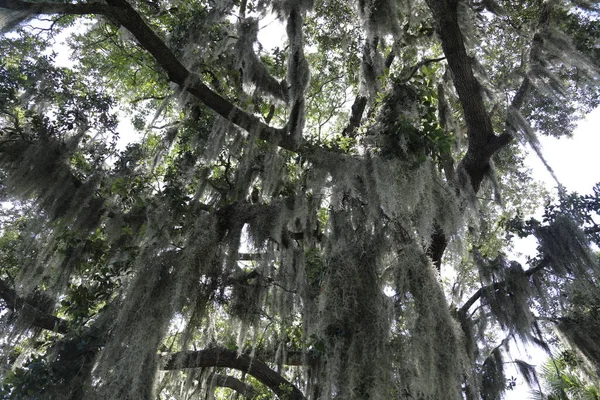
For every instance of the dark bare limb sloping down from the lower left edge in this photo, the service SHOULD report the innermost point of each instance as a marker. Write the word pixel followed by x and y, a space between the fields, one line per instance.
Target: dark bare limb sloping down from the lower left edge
pixel 29 313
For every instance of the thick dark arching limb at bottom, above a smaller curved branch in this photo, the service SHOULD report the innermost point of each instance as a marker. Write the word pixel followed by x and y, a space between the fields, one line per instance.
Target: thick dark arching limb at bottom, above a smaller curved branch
pixel 225 358
